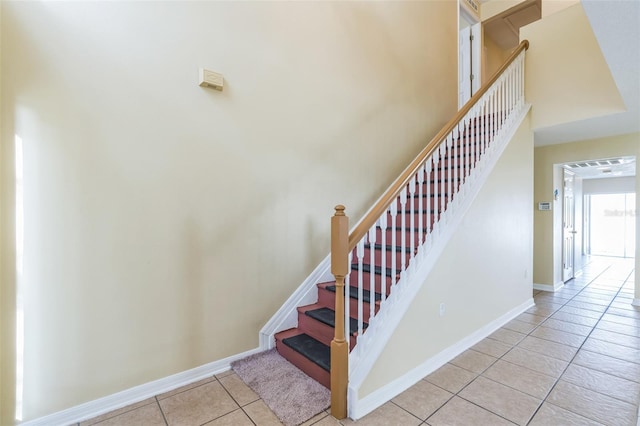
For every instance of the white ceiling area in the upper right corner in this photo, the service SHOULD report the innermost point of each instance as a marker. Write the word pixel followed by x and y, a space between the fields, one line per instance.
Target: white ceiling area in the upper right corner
pixel 616 25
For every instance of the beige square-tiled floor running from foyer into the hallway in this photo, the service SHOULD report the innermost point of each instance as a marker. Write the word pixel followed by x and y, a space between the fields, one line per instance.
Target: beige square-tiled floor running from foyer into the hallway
pixel 573 359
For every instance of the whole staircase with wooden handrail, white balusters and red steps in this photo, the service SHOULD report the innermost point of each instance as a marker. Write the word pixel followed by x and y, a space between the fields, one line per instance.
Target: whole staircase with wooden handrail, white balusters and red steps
pixel 393 248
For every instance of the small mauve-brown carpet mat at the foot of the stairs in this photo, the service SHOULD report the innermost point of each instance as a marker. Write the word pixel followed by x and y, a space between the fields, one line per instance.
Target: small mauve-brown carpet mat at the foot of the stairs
pixel 292 395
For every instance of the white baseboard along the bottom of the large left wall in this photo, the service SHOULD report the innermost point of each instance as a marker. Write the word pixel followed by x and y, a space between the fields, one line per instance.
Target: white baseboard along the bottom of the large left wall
pixel 94 408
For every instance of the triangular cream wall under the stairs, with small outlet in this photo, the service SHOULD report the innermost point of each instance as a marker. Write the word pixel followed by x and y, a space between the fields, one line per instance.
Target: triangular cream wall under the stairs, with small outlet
pixel 495 243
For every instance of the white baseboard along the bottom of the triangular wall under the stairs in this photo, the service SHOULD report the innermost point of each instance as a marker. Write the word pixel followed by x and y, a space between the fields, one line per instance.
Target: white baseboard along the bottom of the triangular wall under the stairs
pixel 362 407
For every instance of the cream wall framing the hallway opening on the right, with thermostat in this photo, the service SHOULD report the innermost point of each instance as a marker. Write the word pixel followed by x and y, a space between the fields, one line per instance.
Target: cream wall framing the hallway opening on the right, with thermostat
pixel 547 231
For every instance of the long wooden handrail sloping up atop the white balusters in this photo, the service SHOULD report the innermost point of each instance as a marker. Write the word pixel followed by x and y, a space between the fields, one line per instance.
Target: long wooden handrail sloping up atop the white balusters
pixel 394 190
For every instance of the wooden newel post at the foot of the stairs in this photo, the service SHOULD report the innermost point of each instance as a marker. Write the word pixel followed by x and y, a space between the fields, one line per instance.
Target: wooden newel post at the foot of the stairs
pixel 339 346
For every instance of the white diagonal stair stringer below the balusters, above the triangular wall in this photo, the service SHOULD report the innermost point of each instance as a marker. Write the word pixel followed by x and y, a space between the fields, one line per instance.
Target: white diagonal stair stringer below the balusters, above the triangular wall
pixel 381 328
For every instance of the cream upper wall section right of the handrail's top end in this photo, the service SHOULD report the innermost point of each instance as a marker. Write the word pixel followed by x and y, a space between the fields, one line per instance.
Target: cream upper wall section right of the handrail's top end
pixel 568 78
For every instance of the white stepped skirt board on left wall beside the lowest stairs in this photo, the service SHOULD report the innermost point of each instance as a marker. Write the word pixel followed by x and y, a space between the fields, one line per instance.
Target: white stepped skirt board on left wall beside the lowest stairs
pixel 287 316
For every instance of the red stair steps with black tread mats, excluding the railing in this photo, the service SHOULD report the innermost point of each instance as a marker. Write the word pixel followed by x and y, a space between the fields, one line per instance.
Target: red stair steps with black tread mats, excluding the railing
pixel 308 345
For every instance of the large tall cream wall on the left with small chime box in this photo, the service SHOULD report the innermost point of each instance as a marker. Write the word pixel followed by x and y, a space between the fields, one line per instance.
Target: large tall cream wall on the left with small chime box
pixel 166 222
